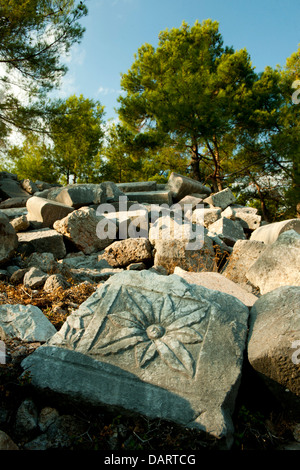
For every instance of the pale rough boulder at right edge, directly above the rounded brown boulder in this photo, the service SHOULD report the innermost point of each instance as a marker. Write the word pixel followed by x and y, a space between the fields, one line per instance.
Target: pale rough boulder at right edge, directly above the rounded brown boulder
pixel 278 265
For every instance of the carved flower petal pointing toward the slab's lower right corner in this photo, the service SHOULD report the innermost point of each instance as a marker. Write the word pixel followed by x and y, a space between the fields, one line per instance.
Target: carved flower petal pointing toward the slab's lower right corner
pixel 175 355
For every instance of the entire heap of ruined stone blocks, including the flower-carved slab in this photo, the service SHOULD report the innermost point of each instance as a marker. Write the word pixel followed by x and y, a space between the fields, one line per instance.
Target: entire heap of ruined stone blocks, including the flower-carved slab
pixel 188 285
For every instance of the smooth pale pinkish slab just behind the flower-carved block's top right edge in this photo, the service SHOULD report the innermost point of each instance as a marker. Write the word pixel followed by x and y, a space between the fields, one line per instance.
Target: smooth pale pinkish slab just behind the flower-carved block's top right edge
pixel 216 281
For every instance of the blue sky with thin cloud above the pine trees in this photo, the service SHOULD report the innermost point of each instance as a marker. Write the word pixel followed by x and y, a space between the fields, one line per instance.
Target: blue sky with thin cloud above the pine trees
pixel 115 29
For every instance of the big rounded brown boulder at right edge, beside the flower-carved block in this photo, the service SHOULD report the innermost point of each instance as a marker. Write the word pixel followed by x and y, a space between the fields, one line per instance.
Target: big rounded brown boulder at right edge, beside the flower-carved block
pixel 274 342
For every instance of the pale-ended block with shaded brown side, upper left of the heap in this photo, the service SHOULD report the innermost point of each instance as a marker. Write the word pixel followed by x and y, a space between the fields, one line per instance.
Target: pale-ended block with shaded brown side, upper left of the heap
pixel 46 211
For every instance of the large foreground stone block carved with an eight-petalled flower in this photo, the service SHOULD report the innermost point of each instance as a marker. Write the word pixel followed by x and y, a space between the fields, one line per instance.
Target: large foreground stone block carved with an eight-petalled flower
pixel 154 345
